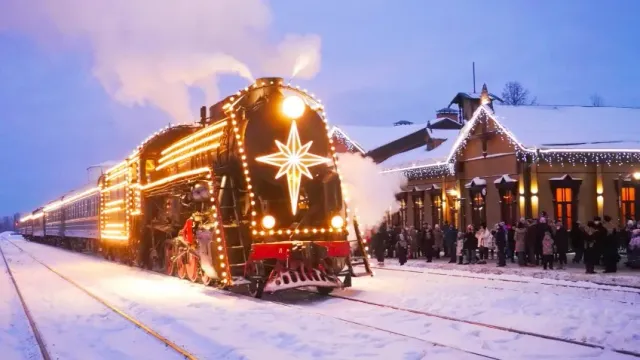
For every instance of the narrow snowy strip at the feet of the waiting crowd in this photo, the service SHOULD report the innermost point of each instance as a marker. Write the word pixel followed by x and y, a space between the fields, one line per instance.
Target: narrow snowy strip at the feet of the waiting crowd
pixel 574 274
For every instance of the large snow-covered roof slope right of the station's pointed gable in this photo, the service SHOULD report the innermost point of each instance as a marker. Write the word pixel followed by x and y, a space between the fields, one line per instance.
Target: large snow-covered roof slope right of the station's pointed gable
pixel 572 127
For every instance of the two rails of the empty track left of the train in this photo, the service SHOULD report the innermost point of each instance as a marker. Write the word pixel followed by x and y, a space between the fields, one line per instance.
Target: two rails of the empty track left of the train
pixel 42 344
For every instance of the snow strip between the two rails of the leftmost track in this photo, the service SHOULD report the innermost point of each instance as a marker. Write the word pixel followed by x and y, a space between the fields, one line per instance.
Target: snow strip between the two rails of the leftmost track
pixel 73 325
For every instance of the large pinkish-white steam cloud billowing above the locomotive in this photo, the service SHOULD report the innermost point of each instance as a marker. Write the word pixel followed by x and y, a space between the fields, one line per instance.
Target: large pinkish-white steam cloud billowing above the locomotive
pixel 153 52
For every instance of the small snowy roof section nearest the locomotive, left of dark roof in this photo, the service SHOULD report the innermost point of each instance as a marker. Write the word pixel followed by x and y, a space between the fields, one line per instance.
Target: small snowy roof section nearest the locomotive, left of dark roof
pixel 371 137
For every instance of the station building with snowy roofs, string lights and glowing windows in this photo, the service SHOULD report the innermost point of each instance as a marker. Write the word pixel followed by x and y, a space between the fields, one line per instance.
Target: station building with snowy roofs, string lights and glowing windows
pixel 480 161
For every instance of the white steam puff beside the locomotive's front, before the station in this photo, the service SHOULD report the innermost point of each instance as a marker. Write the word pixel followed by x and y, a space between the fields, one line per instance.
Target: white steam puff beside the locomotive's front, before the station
pixel 370 193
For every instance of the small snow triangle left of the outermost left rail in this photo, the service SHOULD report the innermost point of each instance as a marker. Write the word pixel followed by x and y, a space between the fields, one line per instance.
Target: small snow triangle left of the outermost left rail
pixel 16 338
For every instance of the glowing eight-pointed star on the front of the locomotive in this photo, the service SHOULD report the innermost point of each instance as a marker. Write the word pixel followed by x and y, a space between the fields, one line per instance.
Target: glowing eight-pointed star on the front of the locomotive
pixel 294 160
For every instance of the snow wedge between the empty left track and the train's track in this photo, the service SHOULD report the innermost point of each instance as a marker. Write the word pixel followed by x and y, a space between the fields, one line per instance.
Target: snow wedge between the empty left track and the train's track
pixel 216 325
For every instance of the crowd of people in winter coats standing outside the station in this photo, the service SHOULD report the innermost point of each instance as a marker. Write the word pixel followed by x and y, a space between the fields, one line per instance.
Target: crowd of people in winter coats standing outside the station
pixel 529 242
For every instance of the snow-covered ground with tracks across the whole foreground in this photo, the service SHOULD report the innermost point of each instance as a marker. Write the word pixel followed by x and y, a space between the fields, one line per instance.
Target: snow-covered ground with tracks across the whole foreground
pixel 401 313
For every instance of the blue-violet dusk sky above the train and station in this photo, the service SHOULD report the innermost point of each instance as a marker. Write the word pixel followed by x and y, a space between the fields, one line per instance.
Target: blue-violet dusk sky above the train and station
pixel 379 62
